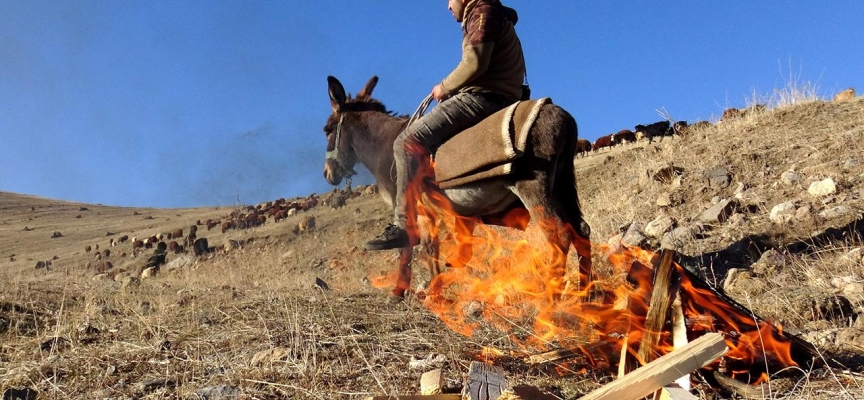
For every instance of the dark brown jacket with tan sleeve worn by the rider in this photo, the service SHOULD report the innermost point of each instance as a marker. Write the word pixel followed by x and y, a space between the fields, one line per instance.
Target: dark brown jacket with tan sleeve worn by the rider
pixel 492 59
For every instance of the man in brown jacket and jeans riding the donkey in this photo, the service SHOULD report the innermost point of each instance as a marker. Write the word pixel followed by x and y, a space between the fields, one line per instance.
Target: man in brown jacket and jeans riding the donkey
pixel 489 77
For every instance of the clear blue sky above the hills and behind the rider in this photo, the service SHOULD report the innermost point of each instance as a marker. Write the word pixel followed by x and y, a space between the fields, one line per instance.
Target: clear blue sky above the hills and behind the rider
pixel 197 103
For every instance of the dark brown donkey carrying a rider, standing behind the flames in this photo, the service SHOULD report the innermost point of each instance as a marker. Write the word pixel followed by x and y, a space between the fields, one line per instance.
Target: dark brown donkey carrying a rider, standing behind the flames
pixel 543 182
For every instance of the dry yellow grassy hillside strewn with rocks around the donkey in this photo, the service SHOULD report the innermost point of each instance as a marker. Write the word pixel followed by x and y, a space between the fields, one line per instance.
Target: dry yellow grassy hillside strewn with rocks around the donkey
pixel 250 317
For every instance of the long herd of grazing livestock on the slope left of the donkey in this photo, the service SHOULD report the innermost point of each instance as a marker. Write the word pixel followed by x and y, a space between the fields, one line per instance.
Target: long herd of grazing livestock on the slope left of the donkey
pixel 178 240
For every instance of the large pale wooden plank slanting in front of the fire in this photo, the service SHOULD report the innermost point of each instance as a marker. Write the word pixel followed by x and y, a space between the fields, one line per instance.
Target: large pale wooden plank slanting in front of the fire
pixel 652 376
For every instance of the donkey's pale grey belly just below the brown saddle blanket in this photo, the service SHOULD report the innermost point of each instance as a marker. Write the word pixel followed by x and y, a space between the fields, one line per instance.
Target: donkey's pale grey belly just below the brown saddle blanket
pixel 481 198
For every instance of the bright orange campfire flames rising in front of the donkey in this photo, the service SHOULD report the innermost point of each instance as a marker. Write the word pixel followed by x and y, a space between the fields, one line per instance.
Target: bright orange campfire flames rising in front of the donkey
pixel 521 285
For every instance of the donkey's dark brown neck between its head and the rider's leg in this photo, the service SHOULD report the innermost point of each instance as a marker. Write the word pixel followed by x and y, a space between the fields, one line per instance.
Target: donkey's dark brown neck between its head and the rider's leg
pixel 375 149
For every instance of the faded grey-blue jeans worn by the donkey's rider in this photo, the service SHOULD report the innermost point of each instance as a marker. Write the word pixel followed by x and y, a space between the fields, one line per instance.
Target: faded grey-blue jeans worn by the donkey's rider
pixel 448 118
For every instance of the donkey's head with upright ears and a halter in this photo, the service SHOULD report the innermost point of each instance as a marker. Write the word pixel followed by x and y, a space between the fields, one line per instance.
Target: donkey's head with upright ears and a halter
pixel 343 125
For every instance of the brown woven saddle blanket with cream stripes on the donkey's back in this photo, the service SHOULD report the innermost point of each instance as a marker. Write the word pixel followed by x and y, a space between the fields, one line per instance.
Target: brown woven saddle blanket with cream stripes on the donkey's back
pixel 487 149
